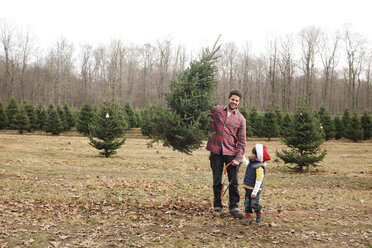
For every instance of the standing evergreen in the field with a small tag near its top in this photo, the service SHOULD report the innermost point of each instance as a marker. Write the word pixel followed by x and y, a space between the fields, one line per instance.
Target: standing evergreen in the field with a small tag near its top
pixel 108 128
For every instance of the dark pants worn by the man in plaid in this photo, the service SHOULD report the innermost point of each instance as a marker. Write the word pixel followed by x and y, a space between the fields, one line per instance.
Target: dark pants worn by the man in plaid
pixel 217 164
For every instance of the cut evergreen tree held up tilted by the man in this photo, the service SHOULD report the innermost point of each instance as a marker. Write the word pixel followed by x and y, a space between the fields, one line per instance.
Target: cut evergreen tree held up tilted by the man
pixel 186 124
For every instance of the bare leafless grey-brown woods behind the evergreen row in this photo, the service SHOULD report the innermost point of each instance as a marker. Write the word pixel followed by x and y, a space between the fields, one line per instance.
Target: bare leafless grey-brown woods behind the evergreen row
pixel 331 69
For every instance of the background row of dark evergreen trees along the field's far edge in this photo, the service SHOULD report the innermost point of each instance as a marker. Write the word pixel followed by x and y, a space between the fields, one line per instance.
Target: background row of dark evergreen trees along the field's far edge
pixel 273 123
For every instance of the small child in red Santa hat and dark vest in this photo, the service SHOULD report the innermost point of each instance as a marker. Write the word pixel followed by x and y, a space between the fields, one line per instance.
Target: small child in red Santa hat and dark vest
pixel 253 182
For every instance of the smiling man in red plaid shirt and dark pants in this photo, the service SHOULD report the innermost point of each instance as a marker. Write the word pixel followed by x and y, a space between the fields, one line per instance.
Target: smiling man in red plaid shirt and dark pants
pixel 227 144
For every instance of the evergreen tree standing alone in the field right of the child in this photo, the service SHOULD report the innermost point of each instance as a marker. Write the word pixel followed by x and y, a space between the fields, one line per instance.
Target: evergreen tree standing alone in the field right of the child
pixel 304 140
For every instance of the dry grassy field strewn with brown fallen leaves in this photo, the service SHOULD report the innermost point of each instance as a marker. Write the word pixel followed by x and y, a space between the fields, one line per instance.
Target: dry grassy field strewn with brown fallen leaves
pixel 55 191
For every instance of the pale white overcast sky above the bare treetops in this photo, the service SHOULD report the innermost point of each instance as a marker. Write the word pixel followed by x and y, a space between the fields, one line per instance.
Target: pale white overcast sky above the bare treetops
pixel 194 23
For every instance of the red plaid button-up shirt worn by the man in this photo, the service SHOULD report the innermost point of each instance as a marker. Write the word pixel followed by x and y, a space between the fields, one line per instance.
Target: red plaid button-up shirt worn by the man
pixel 227 133
